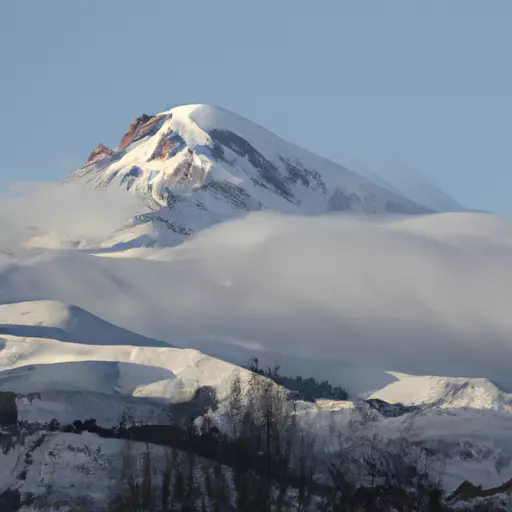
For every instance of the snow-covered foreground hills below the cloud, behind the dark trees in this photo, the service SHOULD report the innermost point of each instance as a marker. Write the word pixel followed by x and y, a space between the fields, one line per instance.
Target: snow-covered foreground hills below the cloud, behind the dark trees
pixel 53 391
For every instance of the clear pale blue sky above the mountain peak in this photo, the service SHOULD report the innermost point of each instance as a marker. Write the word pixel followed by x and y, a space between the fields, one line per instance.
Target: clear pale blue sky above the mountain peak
pixel 426 84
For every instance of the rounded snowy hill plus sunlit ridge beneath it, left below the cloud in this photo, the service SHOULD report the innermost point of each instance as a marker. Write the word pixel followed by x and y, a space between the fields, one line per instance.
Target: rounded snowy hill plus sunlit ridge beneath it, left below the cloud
pixel 32 363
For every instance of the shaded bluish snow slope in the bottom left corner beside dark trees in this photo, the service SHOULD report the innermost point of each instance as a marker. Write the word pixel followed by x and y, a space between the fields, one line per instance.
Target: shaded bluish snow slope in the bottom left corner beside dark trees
pixel 68 469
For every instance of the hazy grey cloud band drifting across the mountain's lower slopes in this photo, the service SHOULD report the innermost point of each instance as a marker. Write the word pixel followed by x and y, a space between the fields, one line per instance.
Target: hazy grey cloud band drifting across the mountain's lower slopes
pixel 425 295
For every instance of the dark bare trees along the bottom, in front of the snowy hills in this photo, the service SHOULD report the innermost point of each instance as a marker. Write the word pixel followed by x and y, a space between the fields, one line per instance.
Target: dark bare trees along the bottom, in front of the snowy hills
pixel 264 460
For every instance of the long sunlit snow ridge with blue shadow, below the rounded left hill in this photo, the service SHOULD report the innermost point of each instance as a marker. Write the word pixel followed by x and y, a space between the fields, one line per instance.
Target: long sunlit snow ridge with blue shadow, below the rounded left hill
pixel 30 365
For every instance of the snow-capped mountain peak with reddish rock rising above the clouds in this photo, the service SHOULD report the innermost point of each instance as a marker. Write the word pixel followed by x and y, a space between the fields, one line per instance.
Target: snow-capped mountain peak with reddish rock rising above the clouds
pixel 198 165
